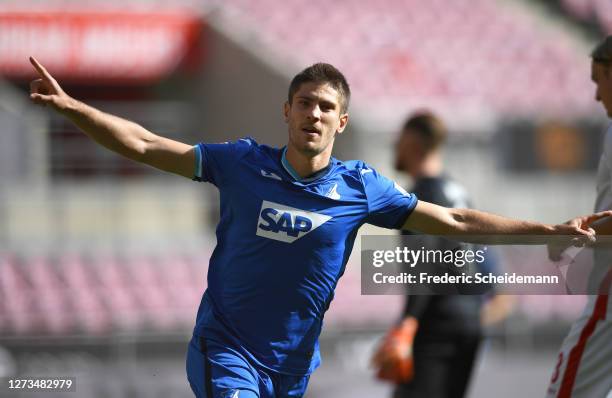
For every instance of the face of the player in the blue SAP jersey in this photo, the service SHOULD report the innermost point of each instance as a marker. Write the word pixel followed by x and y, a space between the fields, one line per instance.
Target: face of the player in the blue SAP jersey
pixel 314 118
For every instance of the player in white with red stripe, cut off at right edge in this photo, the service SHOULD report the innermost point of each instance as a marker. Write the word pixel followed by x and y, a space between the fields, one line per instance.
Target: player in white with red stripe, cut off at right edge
pixel 584 363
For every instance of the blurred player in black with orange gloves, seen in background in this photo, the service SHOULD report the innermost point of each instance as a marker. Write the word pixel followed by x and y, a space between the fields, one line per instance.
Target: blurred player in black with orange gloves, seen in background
pixel 431 352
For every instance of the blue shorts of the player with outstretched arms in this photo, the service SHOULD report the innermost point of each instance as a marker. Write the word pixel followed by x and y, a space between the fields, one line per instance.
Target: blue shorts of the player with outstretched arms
pixel 216 370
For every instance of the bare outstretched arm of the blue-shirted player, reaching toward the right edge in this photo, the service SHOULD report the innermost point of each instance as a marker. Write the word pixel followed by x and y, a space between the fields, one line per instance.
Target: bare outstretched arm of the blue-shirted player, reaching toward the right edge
pixel 437 220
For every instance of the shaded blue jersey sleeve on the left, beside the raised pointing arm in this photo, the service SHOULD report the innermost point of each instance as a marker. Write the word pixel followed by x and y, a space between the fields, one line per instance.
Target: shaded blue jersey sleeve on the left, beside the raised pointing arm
pixel 215 162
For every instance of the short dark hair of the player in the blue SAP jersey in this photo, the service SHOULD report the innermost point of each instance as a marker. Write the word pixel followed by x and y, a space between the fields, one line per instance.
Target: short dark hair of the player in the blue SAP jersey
pixel 323 73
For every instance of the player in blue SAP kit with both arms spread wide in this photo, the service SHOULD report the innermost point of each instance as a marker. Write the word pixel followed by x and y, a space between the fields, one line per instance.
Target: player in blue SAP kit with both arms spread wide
pixel 289 218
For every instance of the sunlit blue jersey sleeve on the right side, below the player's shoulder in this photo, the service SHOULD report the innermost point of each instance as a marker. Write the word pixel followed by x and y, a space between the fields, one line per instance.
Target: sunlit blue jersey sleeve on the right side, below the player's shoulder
pixel 389 205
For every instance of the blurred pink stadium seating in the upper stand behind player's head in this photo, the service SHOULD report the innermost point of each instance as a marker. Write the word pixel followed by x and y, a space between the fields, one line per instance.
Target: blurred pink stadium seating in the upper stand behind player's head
pixel 479 53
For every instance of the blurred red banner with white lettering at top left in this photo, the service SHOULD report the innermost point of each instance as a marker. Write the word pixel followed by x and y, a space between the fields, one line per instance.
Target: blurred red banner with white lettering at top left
pixel 127 47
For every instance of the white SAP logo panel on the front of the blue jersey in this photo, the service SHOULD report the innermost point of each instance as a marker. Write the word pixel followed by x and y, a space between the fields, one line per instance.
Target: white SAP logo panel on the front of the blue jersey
pixel 287 224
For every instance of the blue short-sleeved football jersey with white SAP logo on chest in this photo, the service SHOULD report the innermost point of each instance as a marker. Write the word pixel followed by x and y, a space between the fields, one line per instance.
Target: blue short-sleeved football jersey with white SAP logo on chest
pixel 282 245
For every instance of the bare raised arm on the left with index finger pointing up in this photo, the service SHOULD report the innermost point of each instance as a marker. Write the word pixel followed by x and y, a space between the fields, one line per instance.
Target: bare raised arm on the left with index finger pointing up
pixel 119 135
